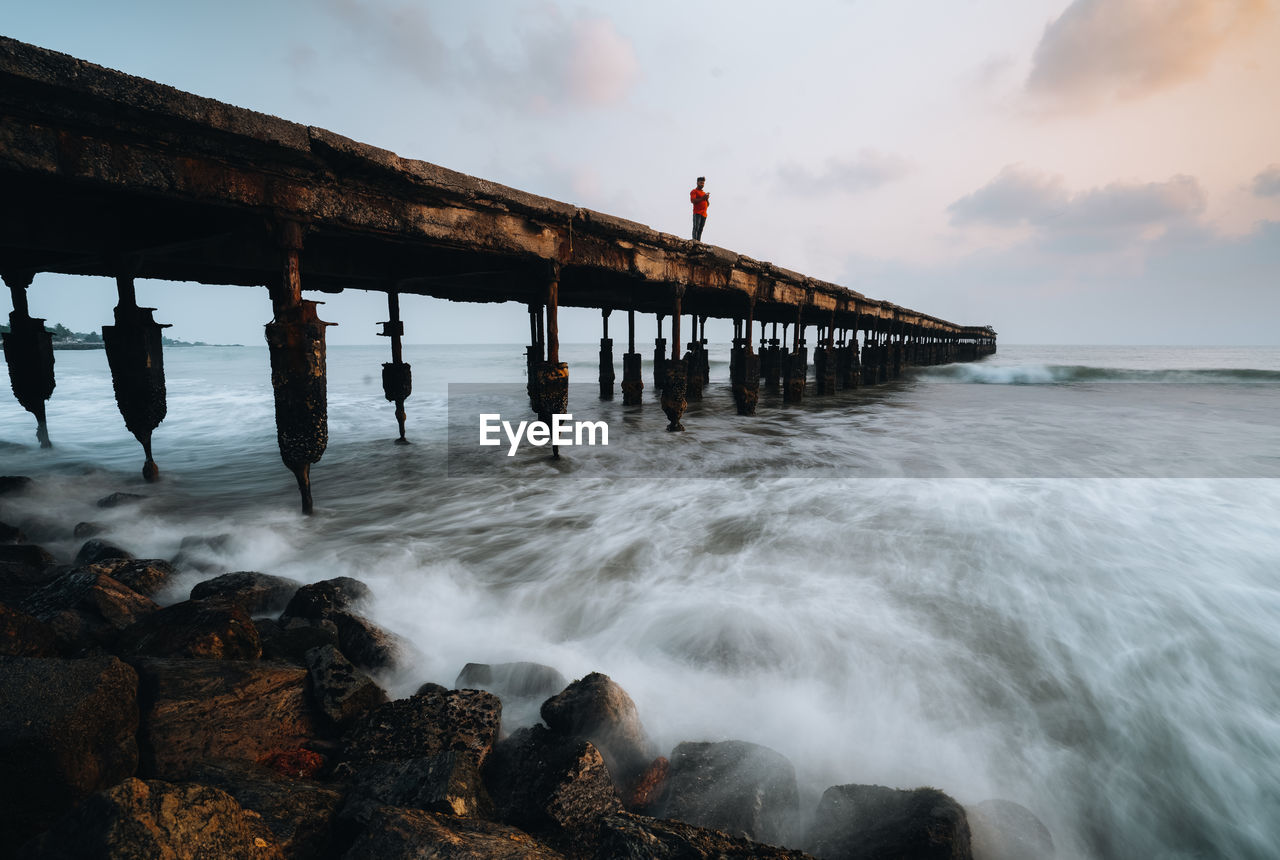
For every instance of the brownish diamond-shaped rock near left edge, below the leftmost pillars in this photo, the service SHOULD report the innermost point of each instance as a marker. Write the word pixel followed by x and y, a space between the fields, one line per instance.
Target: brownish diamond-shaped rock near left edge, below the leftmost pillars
pixel 88 610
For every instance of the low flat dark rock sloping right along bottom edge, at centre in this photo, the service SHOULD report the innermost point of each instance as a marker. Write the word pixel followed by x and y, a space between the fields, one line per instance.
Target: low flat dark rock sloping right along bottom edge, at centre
pixel 625 836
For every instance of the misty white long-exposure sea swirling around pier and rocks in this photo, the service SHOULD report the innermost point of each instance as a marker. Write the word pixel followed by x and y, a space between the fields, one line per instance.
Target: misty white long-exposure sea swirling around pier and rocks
pixel 1052 577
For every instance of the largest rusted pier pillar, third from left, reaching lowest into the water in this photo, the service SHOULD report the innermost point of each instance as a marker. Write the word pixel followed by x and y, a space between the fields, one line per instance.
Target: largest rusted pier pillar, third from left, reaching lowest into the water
pixel 295 340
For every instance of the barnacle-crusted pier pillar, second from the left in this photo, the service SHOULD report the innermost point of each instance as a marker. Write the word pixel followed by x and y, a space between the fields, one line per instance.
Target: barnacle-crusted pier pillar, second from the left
pixel 136 358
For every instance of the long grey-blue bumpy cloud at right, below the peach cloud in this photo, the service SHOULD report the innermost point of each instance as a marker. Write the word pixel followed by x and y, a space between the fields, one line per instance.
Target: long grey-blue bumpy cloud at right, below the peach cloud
pixel 1108 217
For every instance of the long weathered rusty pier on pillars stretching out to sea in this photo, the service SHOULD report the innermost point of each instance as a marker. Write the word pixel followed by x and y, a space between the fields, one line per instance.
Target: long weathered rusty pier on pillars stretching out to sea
pixel 115 176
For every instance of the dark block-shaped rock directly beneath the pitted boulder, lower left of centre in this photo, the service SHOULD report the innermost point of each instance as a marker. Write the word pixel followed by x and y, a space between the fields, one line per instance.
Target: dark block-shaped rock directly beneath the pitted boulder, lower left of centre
pixel 446 783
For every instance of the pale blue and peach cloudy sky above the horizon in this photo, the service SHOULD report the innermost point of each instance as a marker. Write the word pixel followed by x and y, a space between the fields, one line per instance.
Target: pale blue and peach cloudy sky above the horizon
pixel 1064 171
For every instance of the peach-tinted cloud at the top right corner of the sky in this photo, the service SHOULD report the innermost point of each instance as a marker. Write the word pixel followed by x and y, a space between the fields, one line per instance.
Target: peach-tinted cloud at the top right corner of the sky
pixel 1100 51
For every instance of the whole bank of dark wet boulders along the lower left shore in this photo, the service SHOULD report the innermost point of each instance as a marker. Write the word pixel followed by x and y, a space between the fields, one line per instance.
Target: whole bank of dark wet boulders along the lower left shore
pixel 246 722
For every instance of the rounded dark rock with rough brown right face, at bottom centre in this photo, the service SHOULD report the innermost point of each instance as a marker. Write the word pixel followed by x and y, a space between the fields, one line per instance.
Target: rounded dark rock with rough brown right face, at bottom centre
pixel 542 781
